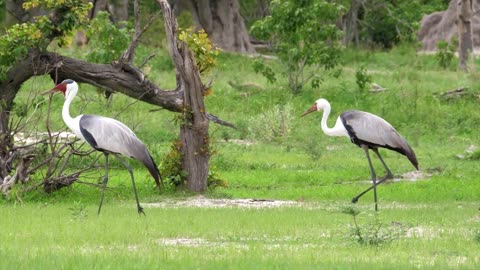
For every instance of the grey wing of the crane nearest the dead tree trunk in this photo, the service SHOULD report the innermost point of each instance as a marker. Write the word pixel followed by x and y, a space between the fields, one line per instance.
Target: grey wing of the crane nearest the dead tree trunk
pixel 110 135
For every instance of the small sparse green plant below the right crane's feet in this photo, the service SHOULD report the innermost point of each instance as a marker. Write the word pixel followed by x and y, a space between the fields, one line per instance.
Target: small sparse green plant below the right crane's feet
pixel 375 232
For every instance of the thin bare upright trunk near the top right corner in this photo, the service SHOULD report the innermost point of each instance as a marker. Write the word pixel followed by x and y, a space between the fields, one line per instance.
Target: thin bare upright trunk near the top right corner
pixel 464 26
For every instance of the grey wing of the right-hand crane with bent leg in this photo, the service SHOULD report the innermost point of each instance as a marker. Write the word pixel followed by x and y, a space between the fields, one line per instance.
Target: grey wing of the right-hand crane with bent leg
pixel 369 129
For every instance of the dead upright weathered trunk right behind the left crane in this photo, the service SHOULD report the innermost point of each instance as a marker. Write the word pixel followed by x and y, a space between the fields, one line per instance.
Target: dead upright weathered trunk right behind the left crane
pixel 194 129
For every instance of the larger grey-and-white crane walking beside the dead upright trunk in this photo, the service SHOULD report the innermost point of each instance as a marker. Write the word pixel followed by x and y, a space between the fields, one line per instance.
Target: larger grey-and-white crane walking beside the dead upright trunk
pixel 108 136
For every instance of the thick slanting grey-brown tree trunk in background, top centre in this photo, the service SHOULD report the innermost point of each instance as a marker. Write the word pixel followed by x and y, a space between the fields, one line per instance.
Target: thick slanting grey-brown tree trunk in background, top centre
pixel 221 20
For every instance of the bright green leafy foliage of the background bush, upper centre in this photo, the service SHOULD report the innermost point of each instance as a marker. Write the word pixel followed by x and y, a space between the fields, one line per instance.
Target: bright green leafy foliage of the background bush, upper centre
pixel 303 34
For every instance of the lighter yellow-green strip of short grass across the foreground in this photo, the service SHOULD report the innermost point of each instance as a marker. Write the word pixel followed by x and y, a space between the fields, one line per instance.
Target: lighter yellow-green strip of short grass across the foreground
pixel 183 238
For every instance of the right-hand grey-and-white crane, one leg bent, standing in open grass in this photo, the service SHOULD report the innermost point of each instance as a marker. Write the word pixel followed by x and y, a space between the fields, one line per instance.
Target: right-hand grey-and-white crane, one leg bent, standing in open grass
pixel 368 131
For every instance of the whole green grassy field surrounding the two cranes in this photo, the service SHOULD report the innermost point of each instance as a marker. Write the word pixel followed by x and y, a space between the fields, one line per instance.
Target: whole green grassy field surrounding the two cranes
pixel 429 223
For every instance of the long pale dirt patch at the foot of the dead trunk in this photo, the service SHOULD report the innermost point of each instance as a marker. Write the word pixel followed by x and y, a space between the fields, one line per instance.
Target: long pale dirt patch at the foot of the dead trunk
pixel 202 201
